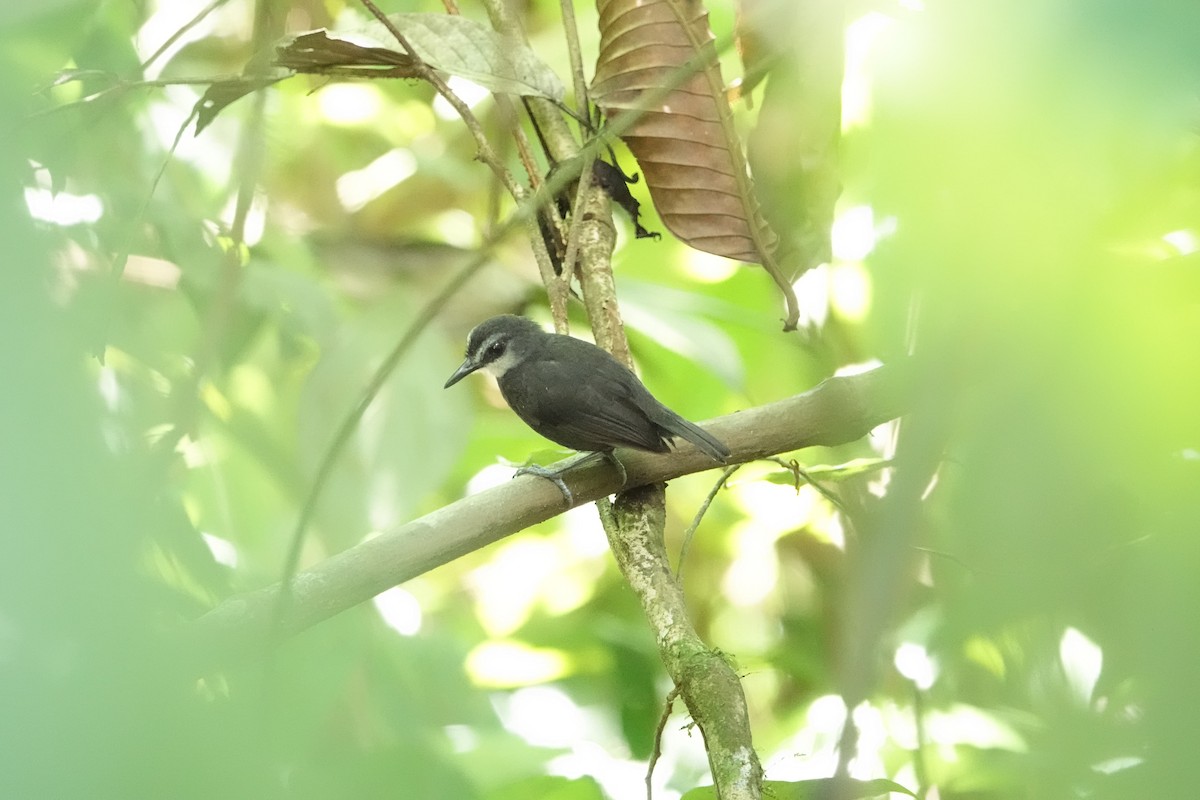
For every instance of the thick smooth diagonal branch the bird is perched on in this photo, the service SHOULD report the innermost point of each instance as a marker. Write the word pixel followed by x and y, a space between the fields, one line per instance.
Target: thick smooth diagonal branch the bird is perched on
pixel 837 412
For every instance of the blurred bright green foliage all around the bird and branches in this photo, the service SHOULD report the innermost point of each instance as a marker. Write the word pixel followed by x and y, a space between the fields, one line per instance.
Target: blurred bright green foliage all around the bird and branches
pixel 1033 172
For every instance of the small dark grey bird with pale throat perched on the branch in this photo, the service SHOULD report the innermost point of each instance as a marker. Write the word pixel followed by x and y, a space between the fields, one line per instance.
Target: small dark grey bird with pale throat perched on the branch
pixel 577 395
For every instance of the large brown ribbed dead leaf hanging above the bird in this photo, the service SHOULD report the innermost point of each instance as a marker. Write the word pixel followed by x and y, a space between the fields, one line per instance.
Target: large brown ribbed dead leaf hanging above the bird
pixel 658 75
